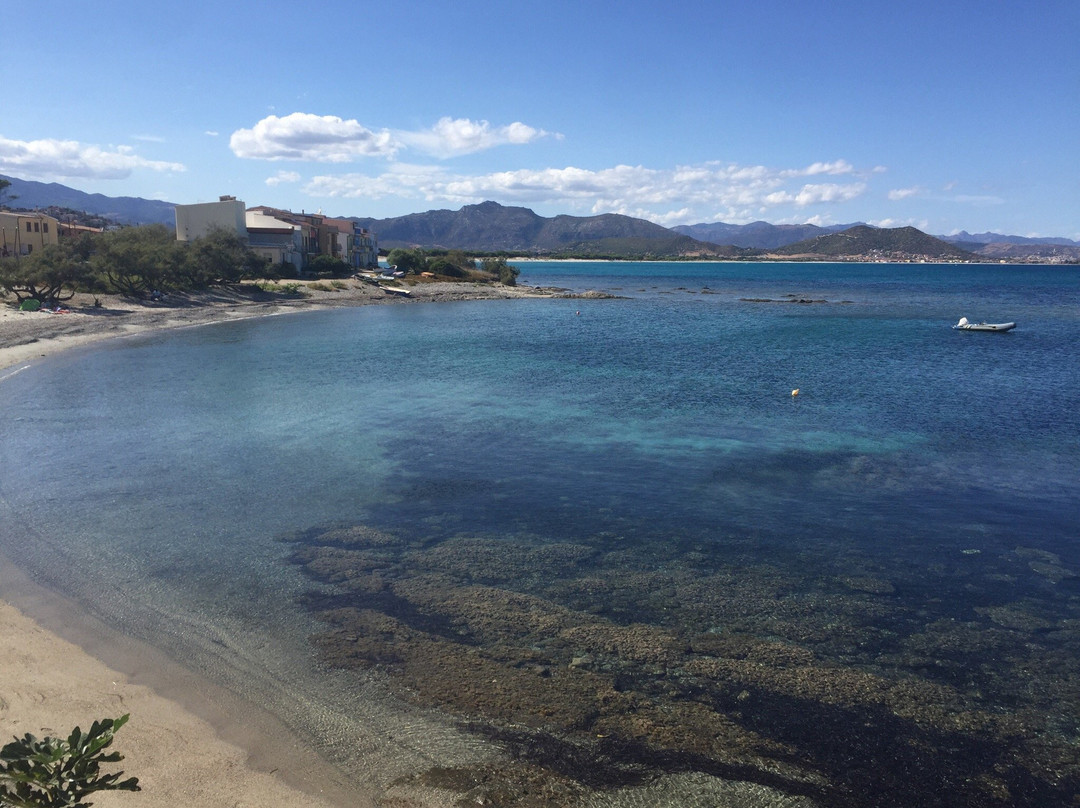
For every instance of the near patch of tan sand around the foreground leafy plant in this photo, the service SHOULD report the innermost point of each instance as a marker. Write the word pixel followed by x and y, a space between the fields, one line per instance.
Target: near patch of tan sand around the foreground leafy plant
pixel 190 742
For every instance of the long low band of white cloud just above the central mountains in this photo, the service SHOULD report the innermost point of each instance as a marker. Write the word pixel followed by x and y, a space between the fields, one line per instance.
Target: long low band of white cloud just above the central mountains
pixel 686 194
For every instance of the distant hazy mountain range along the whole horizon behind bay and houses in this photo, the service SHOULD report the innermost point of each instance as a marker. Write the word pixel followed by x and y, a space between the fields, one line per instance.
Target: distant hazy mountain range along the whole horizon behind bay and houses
pixel 491 227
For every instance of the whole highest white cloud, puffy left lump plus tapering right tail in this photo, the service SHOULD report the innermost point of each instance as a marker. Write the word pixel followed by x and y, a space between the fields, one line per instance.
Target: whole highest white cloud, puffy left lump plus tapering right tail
pixel 331 140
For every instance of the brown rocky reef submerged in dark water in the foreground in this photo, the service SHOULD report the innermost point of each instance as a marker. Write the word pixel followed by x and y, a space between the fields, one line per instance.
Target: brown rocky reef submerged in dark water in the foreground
pixel 611 665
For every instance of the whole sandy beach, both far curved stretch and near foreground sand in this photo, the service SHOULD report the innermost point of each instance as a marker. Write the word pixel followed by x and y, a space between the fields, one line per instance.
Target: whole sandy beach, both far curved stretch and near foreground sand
pixel 188 743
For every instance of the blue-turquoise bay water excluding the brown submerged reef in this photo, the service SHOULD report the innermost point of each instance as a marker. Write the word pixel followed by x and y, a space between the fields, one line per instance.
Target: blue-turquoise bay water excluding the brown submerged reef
pixel 155 478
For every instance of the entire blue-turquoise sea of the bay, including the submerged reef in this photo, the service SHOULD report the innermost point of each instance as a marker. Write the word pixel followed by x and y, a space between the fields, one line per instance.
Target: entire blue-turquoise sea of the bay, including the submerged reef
pixel 593 551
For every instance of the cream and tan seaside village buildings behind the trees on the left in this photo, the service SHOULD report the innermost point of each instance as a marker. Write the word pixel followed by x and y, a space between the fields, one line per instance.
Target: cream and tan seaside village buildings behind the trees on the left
pixel 282 237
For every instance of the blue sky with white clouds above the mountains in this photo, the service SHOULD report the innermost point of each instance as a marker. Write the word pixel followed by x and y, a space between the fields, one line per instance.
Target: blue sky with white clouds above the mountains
pixel 946 115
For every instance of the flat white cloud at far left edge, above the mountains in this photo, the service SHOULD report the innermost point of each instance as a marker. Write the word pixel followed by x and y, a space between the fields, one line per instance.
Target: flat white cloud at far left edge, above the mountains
pixel 51 159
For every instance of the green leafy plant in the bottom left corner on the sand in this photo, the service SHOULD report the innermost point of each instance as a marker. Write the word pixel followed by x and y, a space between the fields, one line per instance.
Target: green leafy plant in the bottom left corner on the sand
pixel 53 773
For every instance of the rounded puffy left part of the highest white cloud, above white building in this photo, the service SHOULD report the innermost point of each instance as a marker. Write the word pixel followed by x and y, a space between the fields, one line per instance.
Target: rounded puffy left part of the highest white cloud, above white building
pixel 318 139
